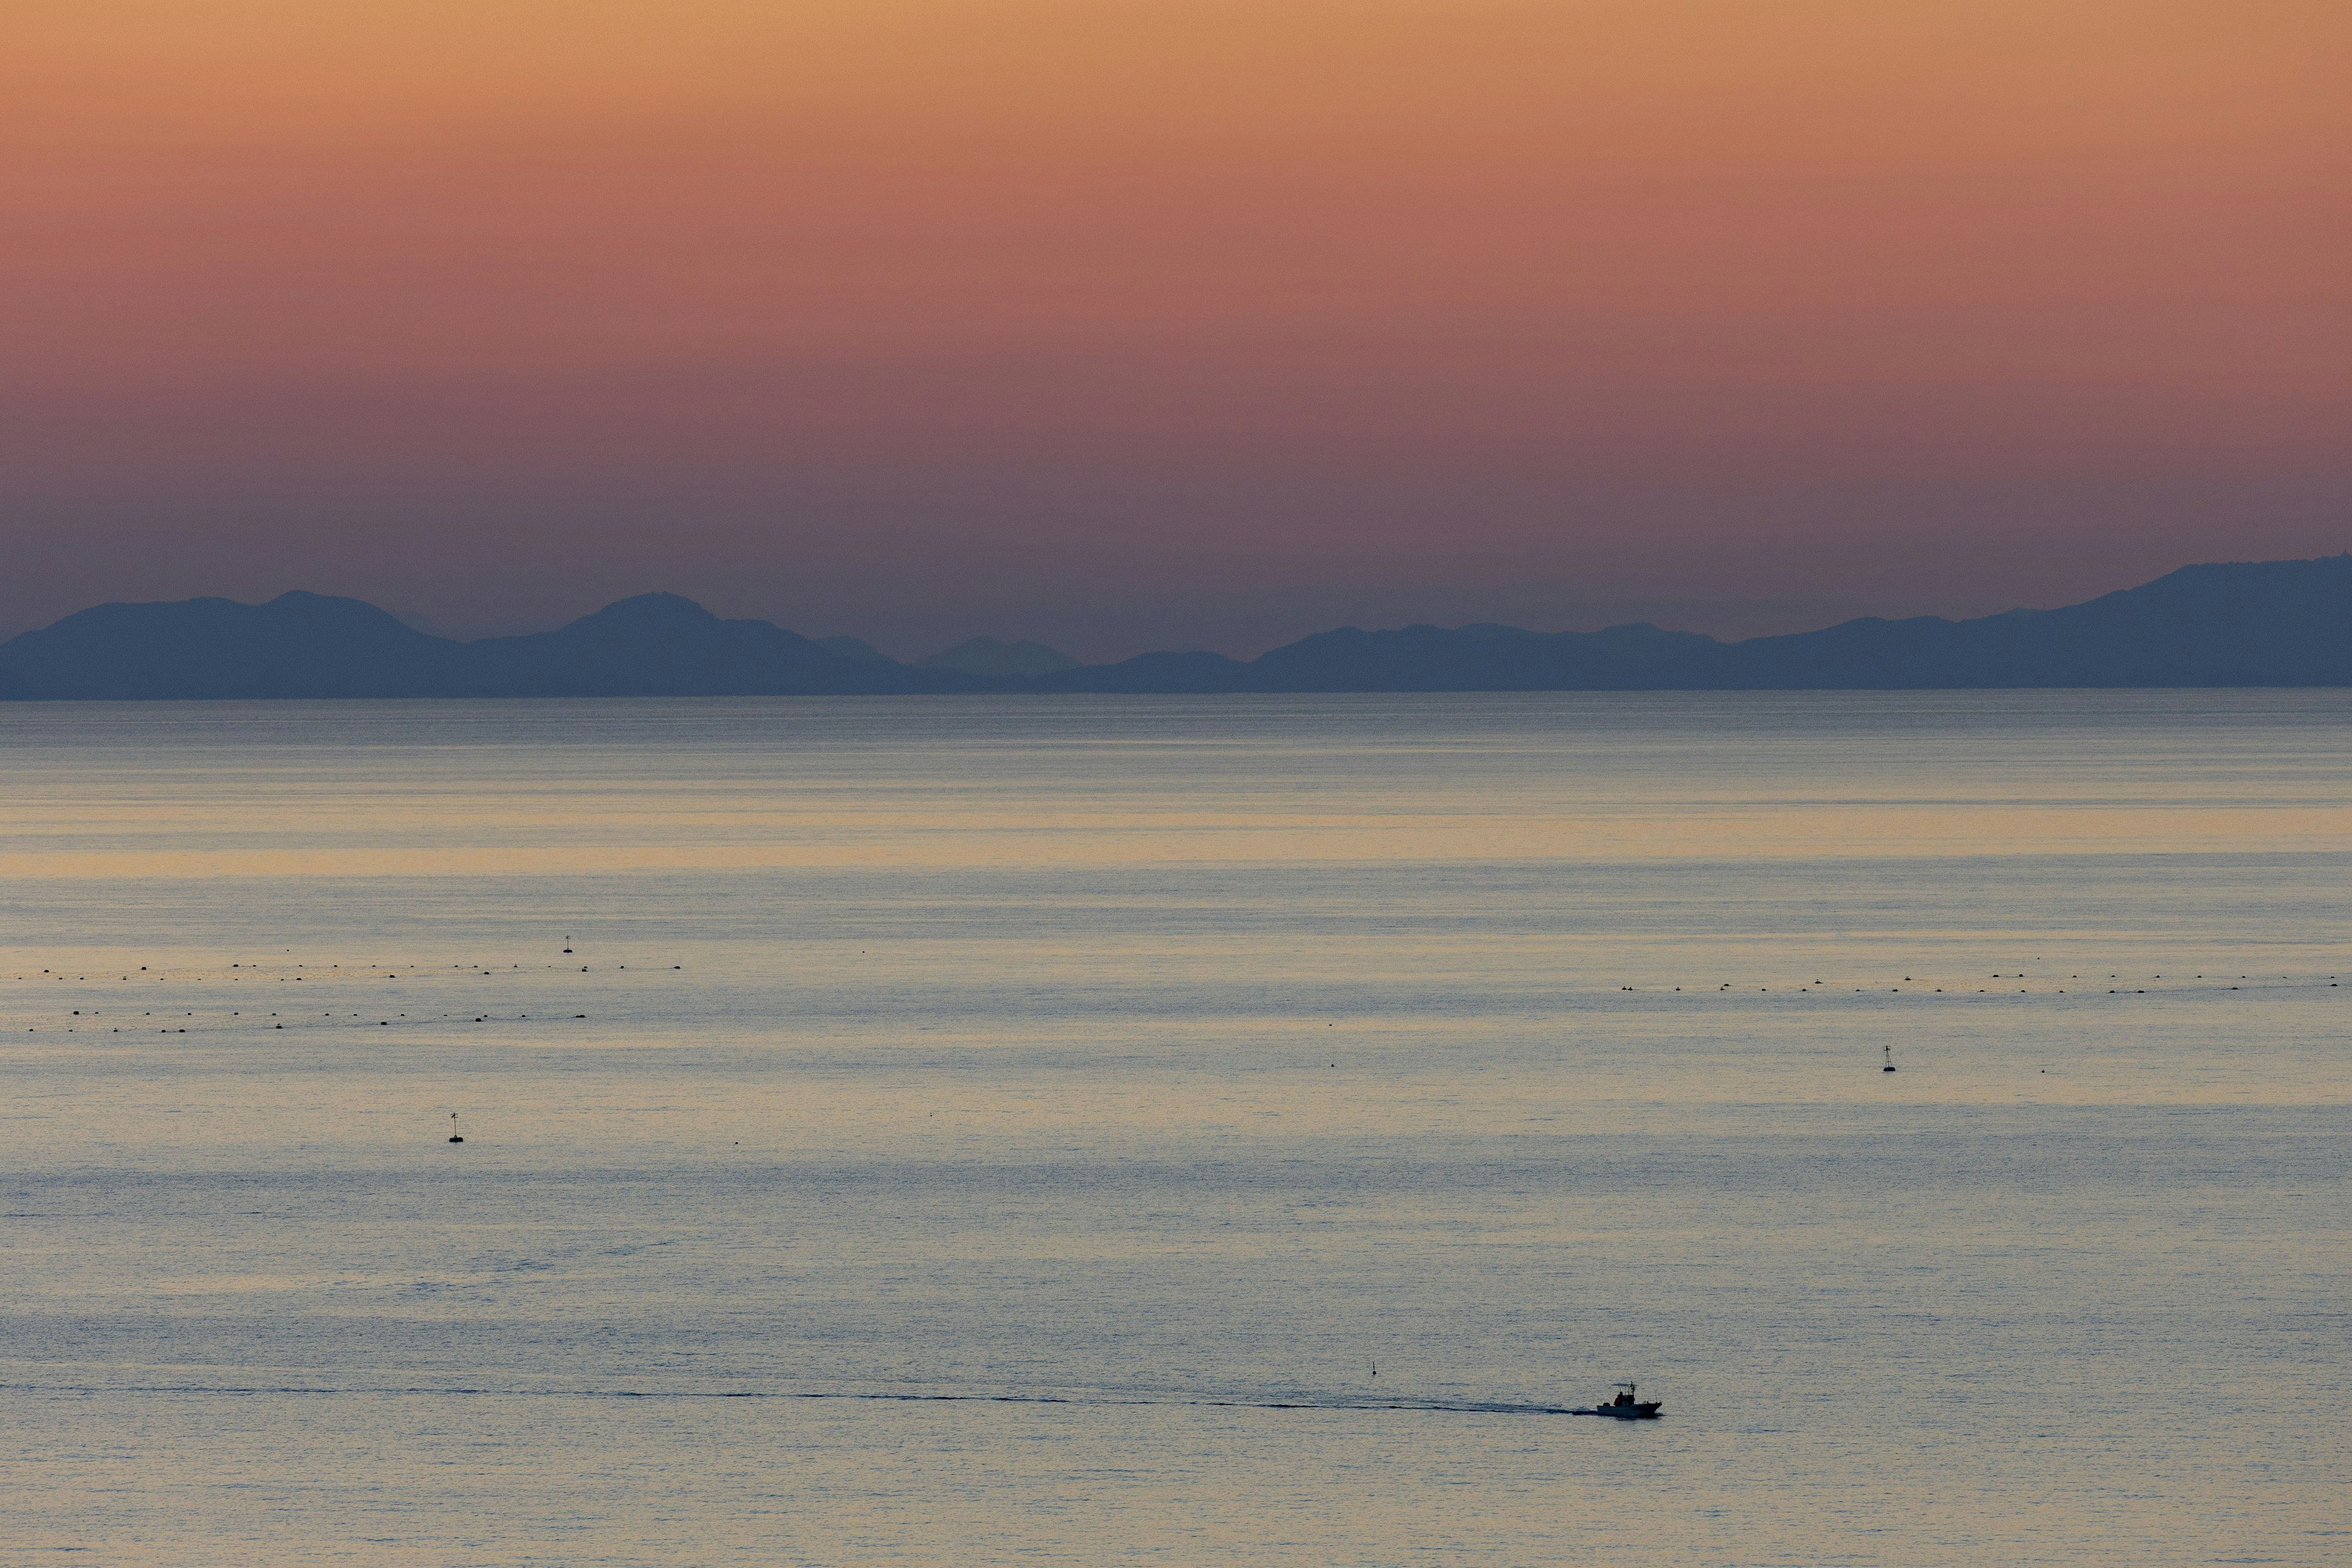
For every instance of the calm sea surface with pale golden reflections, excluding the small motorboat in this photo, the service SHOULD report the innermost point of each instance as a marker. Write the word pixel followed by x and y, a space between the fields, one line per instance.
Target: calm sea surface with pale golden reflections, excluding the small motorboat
pixel 1180 1132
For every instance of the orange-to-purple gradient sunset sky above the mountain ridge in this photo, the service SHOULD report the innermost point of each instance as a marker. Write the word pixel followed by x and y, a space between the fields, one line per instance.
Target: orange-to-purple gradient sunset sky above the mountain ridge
pixel 1147 323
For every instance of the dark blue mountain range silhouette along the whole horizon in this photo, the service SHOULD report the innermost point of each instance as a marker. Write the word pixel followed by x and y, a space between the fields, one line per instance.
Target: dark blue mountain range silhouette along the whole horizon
pixel 2252 624
